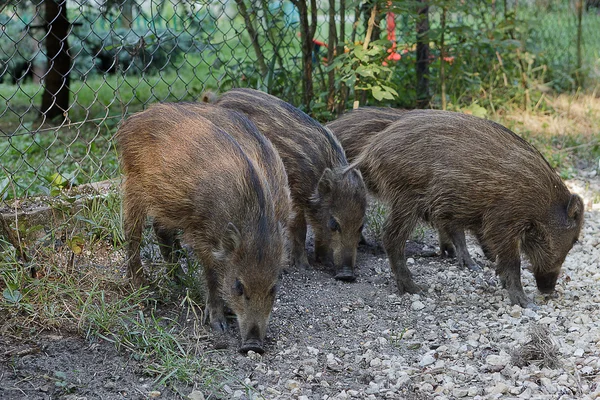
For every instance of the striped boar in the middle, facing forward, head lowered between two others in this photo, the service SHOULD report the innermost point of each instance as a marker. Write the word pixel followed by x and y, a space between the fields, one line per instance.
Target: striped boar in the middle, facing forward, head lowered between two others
pixel 325 193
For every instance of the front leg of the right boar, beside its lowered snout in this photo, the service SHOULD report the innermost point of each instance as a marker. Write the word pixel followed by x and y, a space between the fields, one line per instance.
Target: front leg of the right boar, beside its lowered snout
pixel 509 271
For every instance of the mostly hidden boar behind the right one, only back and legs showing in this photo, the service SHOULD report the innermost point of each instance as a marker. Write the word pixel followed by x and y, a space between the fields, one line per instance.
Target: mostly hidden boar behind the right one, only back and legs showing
pixel 356 128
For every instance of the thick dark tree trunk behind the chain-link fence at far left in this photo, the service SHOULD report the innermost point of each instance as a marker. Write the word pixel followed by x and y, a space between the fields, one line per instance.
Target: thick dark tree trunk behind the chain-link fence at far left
pixel 55 100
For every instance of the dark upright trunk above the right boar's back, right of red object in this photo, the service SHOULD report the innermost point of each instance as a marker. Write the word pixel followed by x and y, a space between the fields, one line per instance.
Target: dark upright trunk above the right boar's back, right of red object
pixel 423 55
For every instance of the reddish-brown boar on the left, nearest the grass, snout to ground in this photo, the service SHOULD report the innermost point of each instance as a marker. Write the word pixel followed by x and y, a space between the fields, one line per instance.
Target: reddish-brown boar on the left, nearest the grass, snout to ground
pixel 190 175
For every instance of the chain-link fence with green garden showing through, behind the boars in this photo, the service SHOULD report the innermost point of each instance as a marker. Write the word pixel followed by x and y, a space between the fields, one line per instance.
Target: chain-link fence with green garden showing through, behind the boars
pixel 71 70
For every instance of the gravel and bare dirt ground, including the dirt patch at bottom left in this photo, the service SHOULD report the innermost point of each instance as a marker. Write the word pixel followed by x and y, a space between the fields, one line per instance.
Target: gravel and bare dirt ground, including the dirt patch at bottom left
pixel 334 340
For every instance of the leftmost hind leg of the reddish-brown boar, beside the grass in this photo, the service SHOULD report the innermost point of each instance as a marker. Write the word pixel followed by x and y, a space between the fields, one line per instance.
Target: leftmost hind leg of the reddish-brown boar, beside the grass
pixel 133 223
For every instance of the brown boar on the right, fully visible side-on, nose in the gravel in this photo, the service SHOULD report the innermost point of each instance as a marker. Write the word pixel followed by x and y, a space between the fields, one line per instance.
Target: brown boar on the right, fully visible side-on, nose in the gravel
pixel 460 173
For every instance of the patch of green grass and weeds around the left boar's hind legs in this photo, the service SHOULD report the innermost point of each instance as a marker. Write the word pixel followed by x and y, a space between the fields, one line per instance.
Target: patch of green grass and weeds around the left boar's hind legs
pixel 78 288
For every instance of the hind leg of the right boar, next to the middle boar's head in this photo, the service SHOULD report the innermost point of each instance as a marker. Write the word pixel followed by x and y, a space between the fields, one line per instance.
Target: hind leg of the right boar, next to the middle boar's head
pixel 397 229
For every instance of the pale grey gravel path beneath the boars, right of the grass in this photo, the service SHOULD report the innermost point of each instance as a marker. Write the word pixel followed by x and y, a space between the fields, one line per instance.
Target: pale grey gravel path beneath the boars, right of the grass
pixel 460 339
